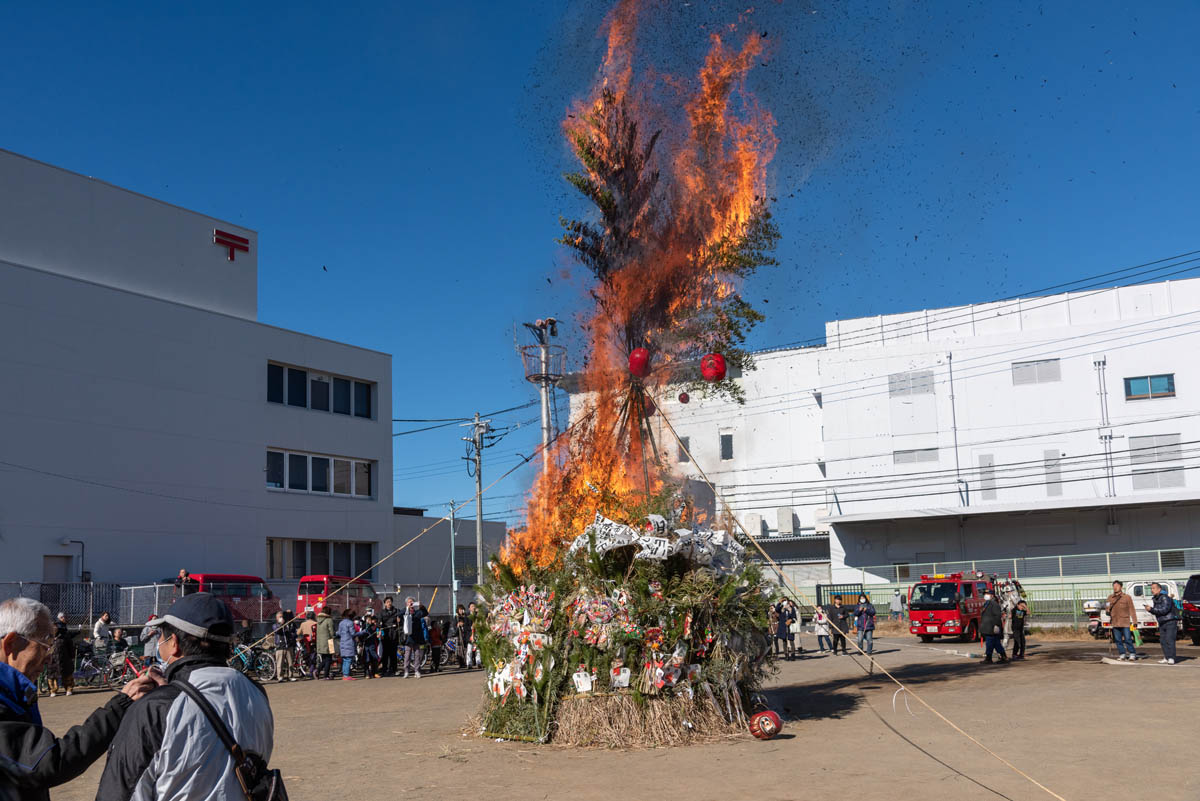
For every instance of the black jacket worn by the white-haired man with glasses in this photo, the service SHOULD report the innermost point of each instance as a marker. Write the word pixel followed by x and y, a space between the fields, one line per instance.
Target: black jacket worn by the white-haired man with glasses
pixel 32 758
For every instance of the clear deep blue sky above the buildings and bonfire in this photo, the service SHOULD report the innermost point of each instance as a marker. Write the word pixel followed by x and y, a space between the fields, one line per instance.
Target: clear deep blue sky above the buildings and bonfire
pixel 932 155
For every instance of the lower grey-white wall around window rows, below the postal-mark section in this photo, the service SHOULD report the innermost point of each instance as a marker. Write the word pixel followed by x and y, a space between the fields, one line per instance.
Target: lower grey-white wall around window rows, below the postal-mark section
pixel 140 426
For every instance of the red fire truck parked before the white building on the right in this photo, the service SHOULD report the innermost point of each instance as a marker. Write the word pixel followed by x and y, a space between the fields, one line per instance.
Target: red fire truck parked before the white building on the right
pixel 950 605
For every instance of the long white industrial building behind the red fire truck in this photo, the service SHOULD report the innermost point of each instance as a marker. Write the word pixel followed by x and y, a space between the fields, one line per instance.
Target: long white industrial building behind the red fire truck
pixel 1069 426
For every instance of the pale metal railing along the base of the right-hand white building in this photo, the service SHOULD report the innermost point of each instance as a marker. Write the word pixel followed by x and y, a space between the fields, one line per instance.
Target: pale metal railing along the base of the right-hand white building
pixel 1125 565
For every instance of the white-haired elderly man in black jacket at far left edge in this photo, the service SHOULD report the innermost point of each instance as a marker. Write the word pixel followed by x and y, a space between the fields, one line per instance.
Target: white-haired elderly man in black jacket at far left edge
pixel 32 758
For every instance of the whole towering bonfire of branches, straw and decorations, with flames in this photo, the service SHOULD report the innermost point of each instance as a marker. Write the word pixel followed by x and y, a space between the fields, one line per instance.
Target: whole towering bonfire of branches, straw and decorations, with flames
pixel 619 616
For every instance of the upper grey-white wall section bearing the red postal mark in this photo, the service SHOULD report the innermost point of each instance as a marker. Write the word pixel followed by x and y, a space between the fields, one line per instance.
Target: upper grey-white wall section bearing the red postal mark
pixel 76 226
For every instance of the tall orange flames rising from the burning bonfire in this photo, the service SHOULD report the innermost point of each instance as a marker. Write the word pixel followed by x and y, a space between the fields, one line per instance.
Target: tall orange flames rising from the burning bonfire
pixel 711 186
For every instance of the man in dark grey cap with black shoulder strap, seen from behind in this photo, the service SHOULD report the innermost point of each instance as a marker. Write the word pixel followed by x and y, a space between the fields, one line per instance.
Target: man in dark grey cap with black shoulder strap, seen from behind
pixel 167 749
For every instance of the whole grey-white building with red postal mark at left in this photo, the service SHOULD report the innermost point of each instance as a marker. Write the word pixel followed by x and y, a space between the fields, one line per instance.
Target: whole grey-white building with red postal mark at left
pixel 149 423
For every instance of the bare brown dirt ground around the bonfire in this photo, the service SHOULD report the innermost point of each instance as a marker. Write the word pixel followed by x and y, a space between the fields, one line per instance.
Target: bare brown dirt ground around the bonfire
pixel 1084 728
